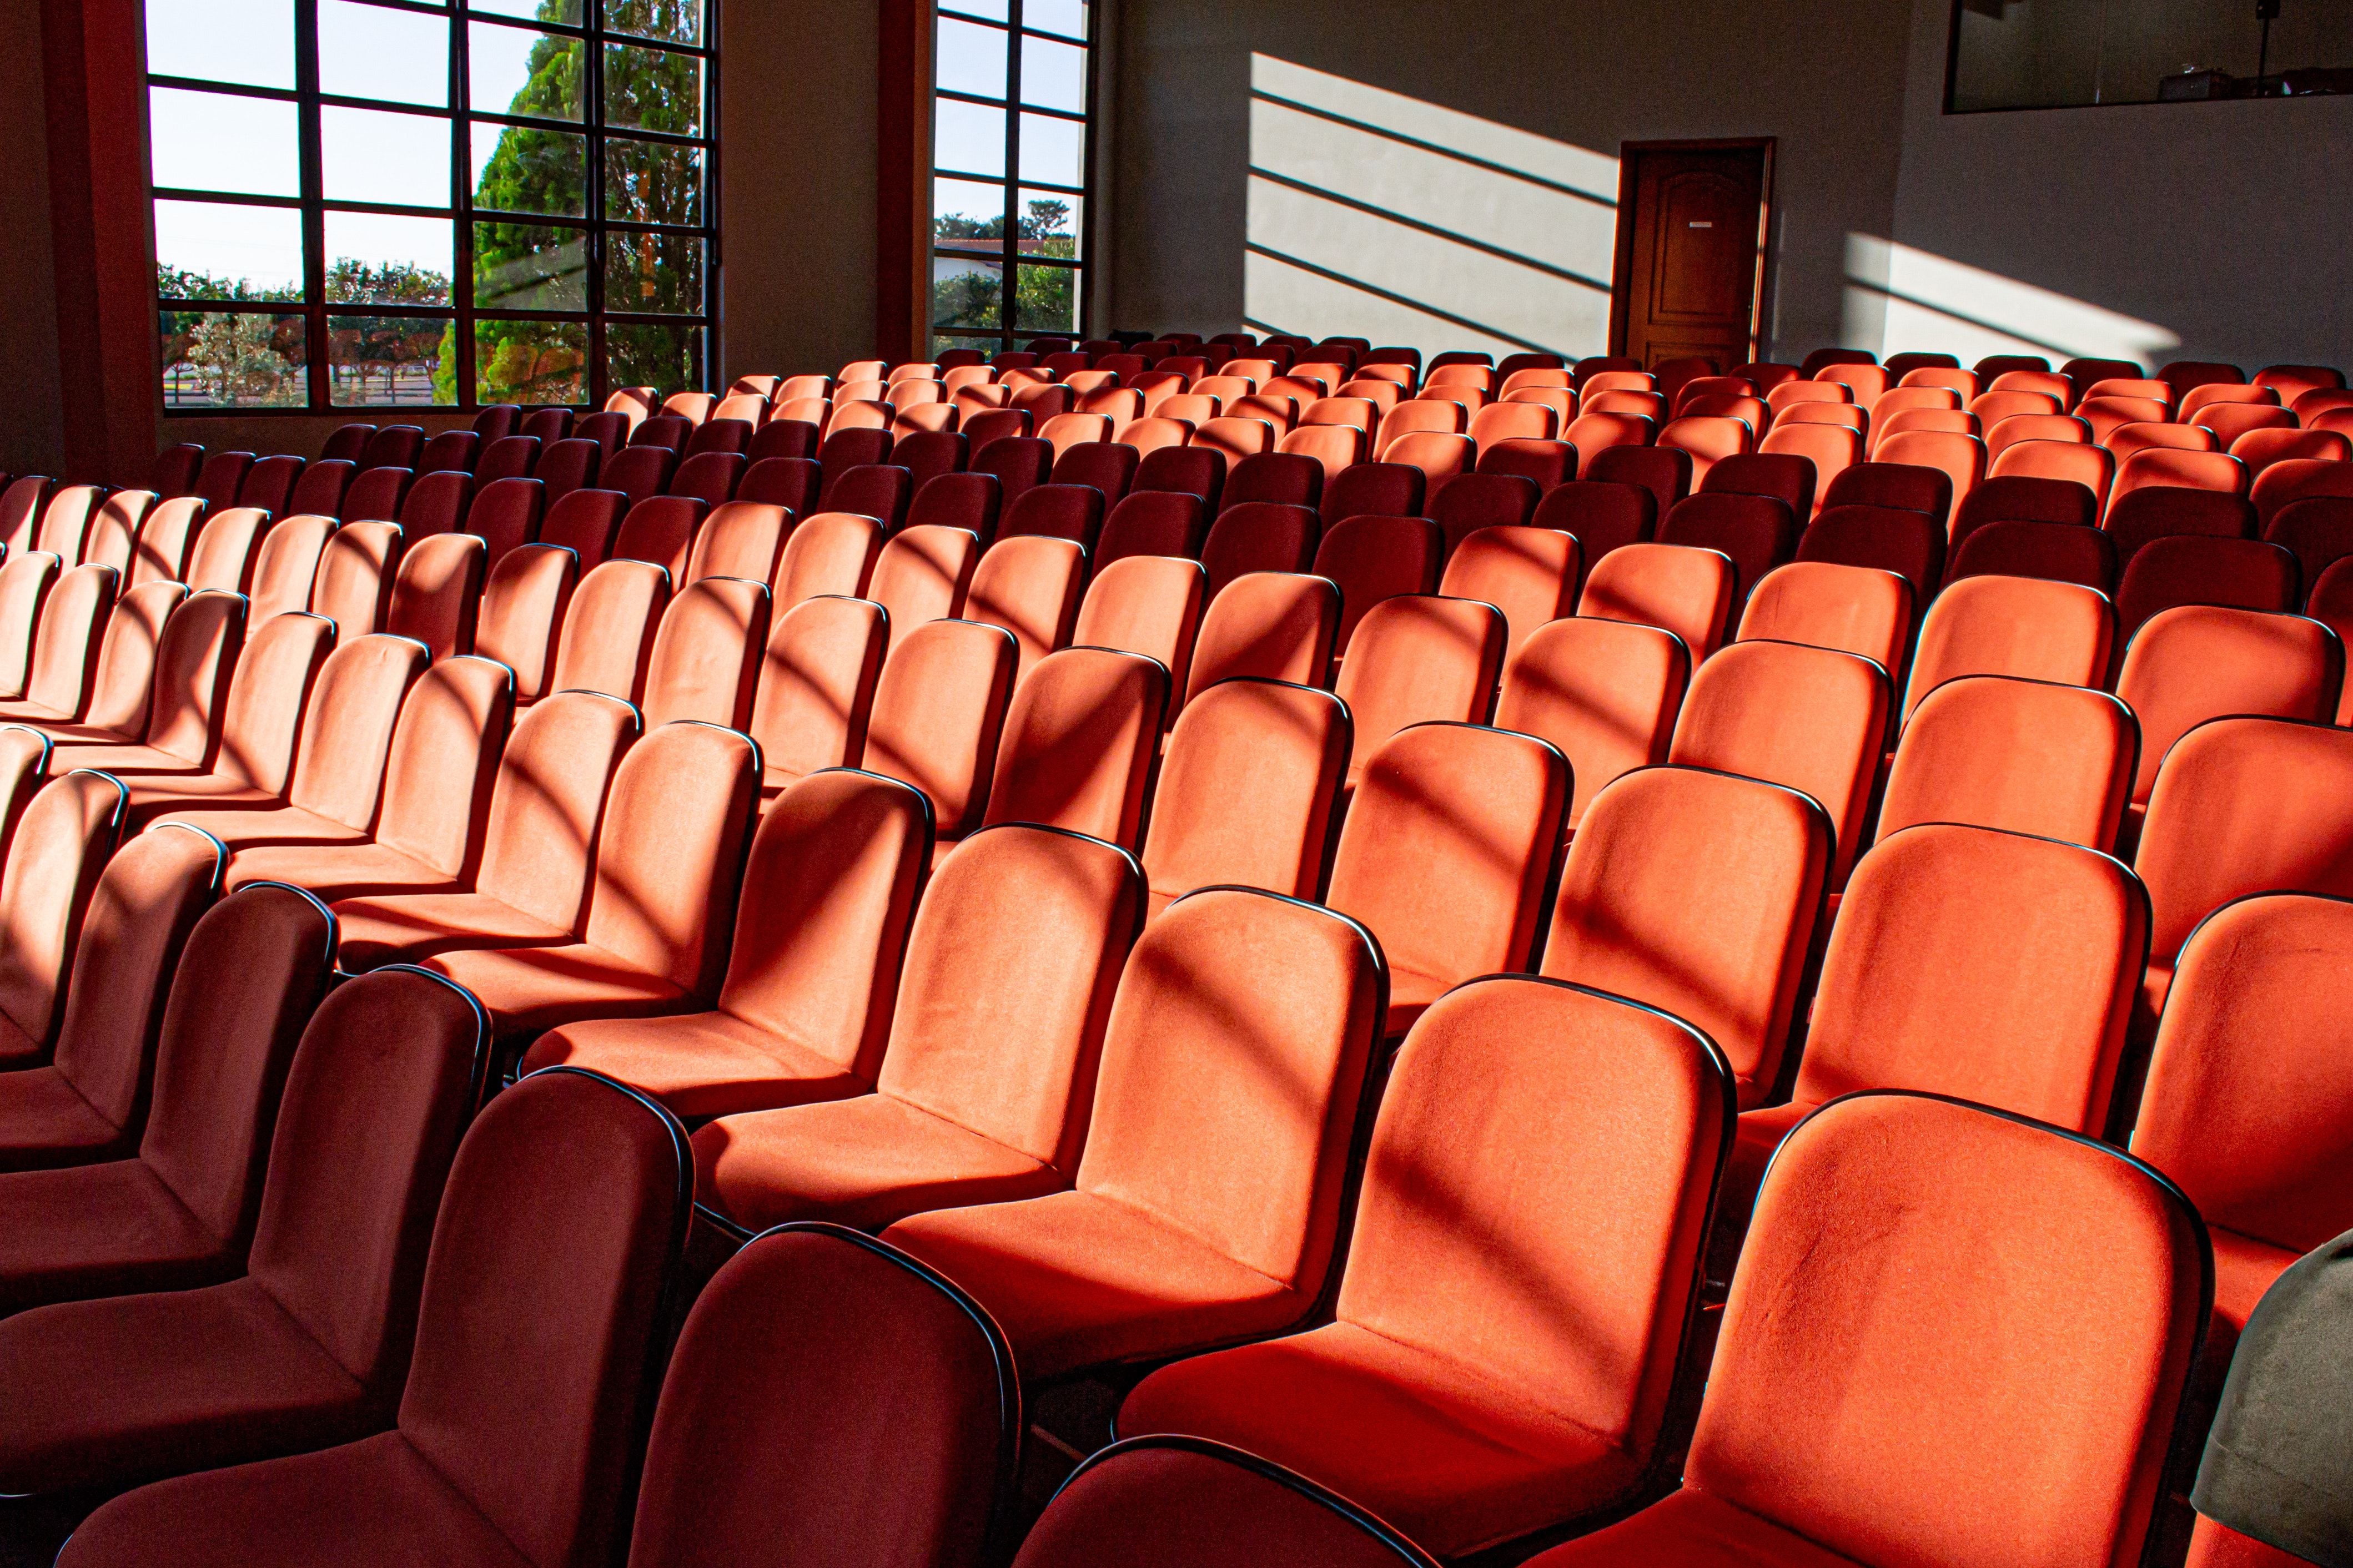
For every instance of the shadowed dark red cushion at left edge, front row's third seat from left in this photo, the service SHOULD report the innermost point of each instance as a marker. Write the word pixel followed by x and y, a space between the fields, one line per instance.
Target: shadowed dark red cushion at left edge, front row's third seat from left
pixel 102 1231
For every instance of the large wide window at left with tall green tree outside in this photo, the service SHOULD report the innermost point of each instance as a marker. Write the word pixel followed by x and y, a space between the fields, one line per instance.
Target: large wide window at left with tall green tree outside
pixel 394 203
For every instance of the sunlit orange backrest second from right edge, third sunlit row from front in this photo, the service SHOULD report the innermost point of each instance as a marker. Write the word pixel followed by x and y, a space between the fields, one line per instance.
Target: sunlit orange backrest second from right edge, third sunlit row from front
pixel 2020 756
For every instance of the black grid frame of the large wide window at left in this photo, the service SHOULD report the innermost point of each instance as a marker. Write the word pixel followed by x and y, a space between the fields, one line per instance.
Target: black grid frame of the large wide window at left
pixel 462 119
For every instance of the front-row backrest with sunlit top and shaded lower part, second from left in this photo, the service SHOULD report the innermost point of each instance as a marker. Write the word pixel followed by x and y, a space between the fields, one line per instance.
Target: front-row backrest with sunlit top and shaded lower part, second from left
pixel 133 932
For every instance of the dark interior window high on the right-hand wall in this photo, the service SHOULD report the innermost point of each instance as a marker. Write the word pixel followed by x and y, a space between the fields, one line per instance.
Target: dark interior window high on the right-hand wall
pixel 2081 53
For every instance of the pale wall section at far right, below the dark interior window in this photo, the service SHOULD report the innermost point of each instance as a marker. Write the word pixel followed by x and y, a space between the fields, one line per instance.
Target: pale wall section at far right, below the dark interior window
pixel 2164 232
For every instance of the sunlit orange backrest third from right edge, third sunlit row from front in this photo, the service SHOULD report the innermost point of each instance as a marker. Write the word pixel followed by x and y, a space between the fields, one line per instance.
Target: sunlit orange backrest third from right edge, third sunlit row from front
pixel 1794 716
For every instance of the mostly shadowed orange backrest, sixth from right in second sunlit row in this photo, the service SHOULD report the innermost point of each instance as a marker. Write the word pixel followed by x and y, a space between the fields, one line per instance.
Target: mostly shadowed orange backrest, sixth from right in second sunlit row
pixel 1079 744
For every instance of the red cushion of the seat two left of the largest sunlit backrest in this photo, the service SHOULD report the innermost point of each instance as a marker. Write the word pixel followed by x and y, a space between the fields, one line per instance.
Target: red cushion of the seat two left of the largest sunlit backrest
pixel 1079 1280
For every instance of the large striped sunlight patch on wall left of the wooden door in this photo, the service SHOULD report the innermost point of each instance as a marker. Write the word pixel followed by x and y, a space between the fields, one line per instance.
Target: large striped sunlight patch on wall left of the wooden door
pixel 1378 215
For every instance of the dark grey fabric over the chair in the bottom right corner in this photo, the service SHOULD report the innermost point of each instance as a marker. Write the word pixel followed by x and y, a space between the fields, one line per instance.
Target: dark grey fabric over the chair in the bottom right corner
pixel 2279 1463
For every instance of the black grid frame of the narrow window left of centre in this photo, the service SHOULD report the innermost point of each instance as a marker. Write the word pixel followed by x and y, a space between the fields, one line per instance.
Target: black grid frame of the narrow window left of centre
pixel 1008 333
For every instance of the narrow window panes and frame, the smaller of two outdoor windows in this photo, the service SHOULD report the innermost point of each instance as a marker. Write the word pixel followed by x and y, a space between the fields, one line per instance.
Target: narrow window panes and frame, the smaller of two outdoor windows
pixel 1011 170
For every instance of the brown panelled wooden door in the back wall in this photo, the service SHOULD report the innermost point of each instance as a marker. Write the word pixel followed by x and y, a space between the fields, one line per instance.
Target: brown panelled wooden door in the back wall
pixel 1691 253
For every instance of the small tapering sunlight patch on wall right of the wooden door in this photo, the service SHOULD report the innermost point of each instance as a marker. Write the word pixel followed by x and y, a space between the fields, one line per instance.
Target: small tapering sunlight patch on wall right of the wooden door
pixel 1905 300
